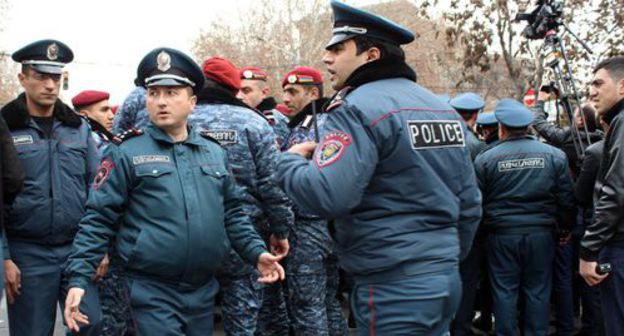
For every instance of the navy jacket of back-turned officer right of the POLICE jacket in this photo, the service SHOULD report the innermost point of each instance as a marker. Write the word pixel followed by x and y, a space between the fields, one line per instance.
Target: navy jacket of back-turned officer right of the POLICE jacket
pixel 526 185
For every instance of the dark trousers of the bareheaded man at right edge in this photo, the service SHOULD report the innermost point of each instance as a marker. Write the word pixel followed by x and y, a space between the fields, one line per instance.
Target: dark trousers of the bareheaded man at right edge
pixel 612 288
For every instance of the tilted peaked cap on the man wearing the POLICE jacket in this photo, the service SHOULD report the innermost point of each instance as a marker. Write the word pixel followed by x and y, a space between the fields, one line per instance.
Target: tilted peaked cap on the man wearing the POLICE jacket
pixel 350 22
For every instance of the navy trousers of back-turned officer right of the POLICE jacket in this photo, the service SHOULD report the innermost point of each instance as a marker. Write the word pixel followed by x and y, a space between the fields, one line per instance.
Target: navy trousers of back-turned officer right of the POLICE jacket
pixel 521 264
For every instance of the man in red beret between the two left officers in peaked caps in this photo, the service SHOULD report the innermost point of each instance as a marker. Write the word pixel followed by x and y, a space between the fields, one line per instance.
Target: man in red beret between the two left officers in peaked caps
pixel 94 106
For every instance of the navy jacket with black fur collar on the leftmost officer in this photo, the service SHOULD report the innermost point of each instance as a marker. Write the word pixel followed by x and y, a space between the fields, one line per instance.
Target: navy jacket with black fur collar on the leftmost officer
pixel 58 174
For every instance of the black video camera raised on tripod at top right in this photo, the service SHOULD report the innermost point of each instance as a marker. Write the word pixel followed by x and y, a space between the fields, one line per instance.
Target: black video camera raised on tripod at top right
pixel 544 18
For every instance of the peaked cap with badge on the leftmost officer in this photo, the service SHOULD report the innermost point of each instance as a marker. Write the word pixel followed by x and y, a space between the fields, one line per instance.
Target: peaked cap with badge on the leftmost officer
pixel 46 56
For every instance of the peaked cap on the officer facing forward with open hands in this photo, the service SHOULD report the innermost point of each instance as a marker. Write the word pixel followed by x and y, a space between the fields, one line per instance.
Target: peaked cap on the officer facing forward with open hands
pixel 169 67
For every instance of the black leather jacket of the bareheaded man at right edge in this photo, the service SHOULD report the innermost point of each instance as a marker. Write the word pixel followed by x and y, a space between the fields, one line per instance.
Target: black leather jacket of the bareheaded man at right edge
pixel 608 224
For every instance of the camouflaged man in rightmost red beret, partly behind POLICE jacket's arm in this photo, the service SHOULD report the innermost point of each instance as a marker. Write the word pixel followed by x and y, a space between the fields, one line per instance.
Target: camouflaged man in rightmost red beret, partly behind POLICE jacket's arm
pixel 313 271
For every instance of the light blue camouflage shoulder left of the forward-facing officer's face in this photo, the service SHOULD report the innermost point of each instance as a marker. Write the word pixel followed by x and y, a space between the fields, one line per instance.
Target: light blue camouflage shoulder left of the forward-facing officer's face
pixel 133 112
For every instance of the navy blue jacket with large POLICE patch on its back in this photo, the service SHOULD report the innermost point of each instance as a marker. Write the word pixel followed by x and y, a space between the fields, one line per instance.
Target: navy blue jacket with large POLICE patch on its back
pixel 394 171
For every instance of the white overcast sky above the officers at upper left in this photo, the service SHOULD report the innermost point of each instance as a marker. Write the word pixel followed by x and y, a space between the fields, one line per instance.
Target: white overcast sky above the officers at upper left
pixel 109 38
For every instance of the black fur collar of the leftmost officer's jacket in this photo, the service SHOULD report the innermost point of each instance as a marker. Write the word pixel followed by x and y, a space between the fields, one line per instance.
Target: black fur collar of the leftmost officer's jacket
pixel 16 114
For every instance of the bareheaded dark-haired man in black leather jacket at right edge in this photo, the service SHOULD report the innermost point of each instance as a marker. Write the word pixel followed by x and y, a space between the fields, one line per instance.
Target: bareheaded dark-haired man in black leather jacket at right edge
pixel 604 237
